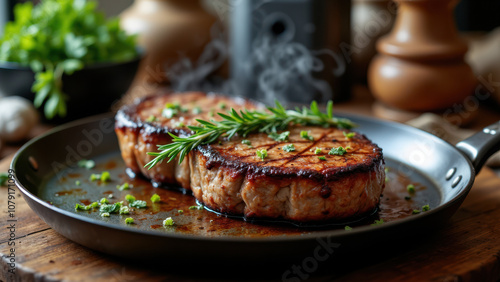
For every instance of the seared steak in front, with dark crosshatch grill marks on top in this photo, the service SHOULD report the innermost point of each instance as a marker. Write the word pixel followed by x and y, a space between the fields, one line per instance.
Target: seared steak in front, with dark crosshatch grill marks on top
pixel 301 185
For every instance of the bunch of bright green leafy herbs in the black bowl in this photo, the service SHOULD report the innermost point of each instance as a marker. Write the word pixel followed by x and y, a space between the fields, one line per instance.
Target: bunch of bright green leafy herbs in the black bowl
pixel 56 38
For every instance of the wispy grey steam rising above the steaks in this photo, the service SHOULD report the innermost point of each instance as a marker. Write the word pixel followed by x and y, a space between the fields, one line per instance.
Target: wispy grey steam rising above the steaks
pixel 276 69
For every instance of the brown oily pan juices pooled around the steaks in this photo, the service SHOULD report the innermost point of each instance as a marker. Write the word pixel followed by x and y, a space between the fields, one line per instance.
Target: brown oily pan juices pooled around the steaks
pixel 75 186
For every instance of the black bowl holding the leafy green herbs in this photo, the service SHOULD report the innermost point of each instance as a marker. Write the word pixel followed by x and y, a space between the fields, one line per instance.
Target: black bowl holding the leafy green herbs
pixel 90 91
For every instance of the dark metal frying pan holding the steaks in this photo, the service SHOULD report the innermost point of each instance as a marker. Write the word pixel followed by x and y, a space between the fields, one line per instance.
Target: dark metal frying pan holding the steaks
pixel 451 170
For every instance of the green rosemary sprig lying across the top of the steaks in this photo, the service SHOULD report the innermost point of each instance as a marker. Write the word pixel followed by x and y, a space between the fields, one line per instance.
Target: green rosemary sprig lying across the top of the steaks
pixel 278 118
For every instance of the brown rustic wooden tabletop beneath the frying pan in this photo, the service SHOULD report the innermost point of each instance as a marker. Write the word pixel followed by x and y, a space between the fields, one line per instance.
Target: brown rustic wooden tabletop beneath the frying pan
pixel 466 249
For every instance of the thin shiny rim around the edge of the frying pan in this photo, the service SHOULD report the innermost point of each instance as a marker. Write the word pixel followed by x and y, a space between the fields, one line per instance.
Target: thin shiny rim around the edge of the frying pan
pixel 337 233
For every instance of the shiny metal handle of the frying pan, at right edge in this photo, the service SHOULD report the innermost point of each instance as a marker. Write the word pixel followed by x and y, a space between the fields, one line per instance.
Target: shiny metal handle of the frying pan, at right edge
pixel 480 146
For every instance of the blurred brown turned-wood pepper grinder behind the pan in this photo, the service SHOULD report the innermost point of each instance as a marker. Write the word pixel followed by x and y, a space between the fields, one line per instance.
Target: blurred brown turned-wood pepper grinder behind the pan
pixel 420 66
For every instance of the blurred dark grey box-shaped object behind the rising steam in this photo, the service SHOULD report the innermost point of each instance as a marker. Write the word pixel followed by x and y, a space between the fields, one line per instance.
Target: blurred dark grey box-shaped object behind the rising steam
pixel 290 50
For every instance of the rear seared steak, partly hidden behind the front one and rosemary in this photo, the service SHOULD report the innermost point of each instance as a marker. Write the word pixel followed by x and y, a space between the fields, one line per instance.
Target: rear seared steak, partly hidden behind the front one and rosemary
pixel 142 126
